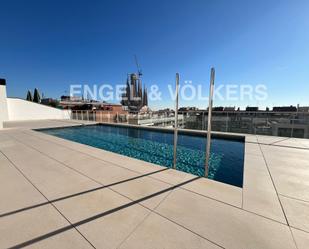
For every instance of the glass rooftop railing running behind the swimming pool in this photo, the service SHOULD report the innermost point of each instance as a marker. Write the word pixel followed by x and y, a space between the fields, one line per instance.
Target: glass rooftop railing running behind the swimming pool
pixel 285 124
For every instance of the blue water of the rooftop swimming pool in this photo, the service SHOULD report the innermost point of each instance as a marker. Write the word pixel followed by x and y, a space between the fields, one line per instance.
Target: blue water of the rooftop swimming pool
pixel 226 160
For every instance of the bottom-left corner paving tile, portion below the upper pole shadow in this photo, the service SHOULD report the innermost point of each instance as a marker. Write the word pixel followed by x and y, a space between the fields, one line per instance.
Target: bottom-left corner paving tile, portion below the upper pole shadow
pixel 30 224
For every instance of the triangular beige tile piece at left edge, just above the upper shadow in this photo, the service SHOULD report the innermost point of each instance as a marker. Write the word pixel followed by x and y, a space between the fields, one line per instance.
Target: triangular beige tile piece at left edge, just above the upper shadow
pixel 15 191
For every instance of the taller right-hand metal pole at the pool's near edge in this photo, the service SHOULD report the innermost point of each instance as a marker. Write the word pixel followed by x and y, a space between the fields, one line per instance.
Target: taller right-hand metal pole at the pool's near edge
pixel 211 91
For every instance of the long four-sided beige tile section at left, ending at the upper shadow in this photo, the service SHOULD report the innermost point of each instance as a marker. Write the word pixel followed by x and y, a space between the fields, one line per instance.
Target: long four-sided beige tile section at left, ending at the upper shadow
pixel 52 178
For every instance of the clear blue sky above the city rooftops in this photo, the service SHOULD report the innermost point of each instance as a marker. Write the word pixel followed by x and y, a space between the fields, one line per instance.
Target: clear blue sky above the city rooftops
pixel 52 44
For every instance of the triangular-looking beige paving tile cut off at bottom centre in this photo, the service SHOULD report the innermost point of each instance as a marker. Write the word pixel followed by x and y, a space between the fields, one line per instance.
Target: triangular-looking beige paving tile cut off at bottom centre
pixel 157 232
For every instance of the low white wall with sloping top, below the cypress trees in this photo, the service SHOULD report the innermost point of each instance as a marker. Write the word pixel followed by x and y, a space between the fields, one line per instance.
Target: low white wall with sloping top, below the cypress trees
pixel 19 109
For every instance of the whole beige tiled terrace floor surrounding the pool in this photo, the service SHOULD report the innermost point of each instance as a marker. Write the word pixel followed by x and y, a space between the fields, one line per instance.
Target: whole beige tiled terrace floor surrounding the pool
pixel 56 193
